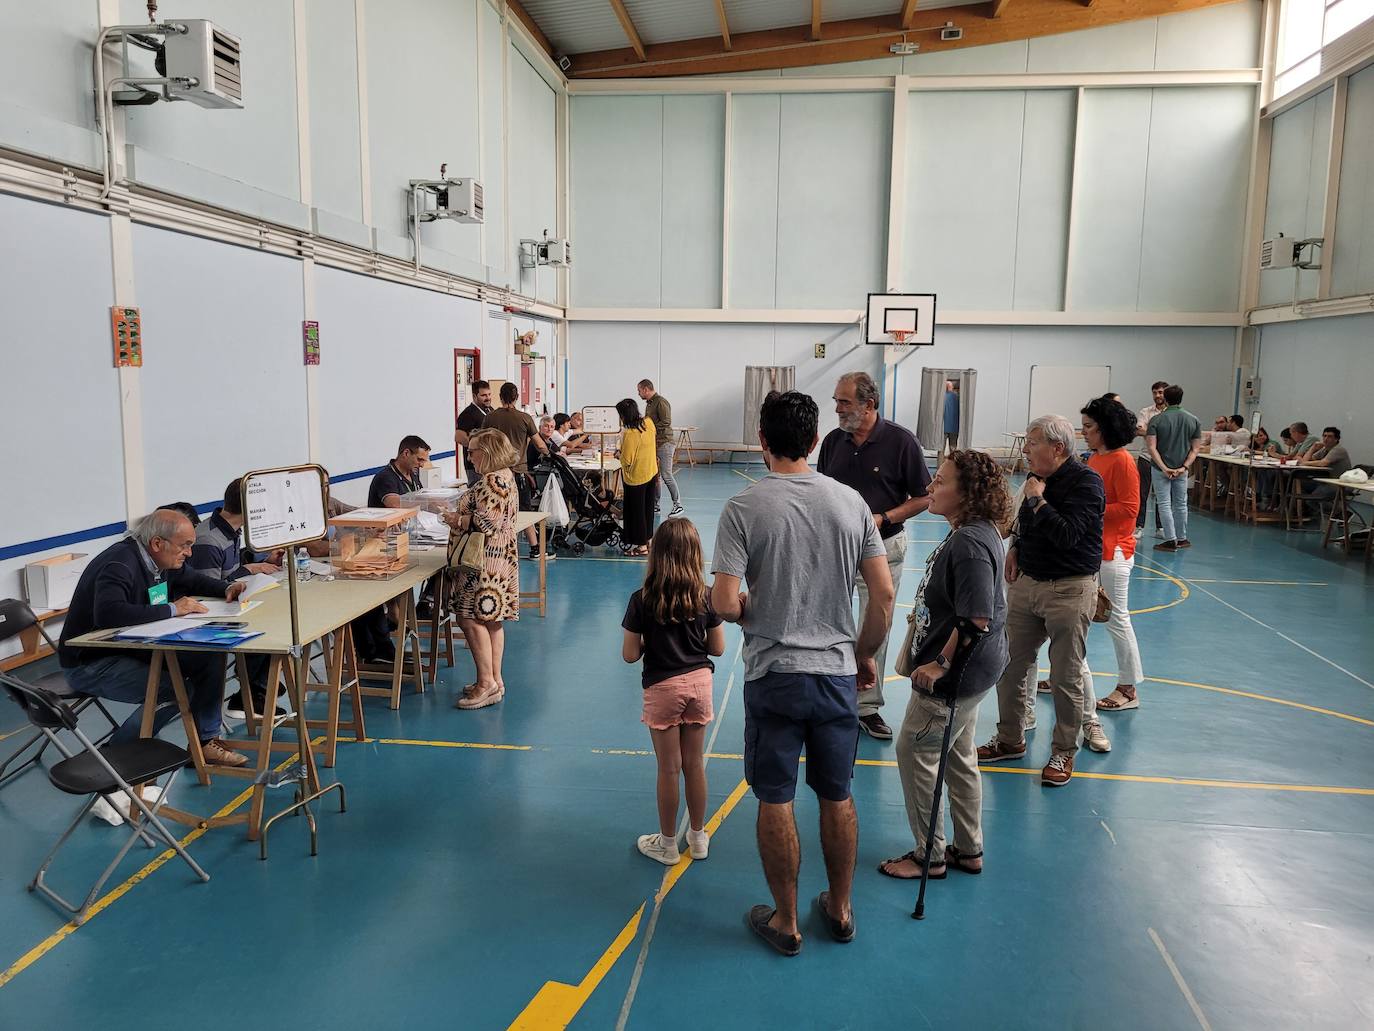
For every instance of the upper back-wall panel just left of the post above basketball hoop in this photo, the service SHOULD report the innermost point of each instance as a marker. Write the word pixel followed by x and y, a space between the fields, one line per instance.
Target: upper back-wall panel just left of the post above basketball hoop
pixel 835 162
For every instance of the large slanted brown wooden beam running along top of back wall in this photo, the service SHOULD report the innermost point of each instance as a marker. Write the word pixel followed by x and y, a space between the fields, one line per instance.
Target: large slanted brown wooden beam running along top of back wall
pixel 865 39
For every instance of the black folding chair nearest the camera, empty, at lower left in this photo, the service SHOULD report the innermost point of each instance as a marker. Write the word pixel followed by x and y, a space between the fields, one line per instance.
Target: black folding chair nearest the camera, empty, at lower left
pixel 101 772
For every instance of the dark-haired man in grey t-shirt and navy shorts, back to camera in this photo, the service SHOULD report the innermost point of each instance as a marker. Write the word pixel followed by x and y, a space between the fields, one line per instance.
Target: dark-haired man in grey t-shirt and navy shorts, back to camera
pixel 799 540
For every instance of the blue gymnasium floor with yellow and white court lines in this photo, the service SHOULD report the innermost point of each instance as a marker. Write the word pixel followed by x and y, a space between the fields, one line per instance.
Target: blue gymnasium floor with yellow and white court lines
pixel 1211 872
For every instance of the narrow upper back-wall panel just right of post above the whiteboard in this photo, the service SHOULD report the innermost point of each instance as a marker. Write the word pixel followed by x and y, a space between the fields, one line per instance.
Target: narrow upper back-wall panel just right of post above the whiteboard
pixel 1111 204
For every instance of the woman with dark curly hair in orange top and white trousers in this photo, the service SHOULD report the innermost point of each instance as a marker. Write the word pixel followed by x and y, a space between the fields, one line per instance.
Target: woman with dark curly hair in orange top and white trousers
pixel 1108 427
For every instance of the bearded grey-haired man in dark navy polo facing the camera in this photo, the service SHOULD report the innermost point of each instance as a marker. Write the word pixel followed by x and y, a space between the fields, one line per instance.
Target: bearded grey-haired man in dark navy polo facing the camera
pixel 886 464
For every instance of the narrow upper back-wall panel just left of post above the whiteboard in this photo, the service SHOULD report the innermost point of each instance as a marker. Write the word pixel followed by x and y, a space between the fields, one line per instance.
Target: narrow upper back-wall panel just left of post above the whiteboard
pixel 1044 212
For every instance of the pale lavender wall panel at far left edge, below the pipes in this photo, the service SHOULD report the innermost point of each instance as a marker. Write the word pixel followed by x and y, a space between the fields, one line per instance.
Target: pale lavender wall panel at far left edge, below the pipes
pixel 60 380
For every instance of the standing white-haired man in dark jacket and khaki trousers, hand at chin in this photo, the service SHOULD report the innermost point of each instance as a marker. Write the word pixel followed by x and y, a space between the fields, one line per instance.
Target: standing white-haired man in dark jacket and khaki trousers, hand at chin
pixel 1053 592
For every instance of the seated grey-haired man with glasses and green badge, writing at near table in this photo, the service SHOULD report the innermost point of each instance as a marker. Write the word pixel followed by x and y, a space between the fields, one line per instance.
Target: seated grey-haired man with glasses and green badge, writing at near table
pixel 142 579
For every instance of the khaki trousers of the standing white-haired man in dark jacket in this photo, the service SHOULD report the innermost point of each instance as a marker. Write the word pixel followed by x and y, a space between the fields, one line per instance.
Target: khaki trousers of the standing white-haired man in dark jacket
pixel 1063 612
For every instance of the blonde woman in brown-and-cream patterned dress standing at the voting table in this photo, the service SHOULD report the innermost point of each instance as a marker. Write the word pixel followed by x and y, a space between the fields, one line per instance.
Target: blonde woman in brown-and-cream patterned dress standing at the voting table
pixel 484 600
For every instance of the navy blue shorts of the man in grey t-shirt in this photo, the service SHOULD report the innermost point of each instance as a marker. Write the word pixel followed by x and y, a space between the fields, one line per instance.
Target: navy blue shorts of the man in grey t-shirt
pixel 785 713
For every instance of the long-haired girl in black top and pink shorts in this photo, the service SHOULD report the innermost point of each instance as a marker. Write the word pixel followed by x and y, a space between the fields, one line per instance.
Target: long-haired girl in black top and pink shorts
pixel 670 625
